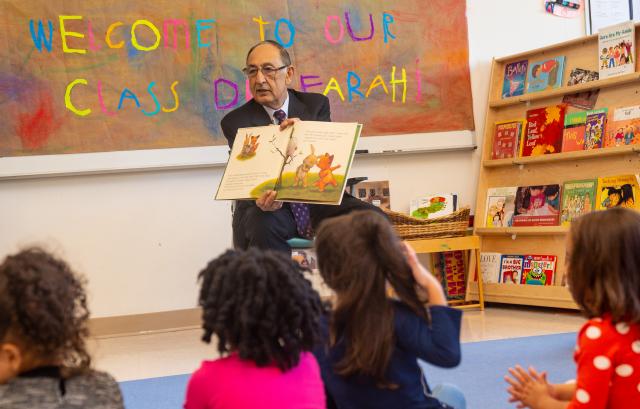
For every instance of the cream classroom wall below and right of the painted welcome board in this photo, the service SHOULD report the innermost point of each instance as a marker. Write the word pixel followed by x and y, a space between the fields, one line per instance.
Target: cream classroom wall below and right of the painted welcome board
pixel 140 238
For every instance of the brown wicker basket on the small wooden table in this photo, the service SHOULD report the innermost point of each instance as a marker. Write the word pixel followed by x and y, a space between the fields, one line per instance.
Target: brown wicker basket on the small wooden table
pixel 410 228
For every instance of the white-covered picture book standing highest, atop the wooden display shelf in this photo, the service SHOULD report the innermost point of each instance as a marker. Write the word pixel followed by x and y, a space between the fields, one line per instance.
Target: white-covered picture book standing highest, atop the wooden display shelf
pixel 616 49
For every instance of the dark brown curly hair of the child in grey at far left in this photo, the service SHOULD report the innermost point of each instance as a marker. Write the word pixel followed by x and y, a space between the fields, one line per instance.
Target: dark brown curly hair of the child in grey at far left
pixel 43 309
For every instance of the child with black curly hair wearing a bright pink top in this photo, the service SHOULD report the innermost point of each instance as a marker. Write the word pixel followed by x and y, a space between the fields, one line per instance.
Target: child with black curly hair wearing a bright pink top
pixel 265 316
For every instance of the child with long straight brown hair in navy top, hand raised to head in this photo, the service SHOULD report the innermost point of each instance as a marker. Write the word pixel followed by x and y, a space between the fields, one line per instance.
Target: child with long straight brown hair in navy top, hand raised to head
pixel 389 312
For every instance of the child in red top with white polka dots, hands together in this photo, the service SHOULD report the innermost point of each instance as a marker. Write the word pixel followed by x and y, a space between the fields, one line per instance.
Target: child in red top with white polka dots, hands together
pixel 603 259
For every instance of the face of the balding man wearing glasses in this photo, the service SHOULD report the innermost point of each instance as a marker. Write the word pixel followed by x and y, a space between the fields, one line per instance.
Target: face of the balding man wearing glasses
pixel 266 90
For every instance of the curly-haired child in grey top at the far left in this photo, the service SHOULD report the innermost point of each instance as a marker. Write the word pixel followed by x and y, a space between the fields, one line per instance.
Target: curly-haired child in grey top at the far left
pixel 43 328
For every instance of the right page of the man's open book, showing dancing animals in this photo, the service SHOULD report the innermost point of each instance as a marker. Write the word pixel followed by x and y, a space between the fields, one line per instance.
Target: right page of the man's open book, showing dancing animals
pixel 318 169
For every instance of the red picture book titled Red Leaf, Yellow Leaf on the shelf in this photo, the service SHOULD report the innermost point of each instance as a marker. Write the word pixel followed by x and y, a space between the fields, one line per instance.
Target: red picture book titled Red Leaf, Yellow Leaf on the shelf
pixel 543 133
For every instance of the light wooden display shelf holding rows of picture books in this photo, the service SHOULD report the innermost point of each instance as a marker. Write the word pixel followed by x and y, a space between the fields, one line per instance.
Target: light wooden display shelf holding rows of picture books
pixel 548 169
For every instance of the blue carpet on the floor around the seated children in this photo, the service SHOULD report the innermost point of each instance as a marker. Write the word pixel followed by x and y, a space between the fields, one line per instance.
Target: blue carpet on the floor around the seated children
pixel 480 375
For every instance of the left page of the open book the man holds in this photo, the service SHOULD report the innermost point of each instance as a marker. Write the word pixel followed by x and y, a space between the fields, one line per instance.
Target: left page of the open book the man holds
pixel 254 163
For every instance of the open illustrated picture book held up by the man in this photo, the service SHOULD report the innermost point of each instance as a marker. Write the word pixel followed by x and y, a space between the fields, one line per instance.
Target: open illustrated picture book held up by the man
pixel 307 162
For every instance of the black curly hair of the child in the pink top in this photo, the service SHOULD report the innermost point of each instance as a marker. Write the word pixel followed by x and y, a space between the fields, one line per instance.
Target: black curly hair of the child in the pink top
pixel 259 304
